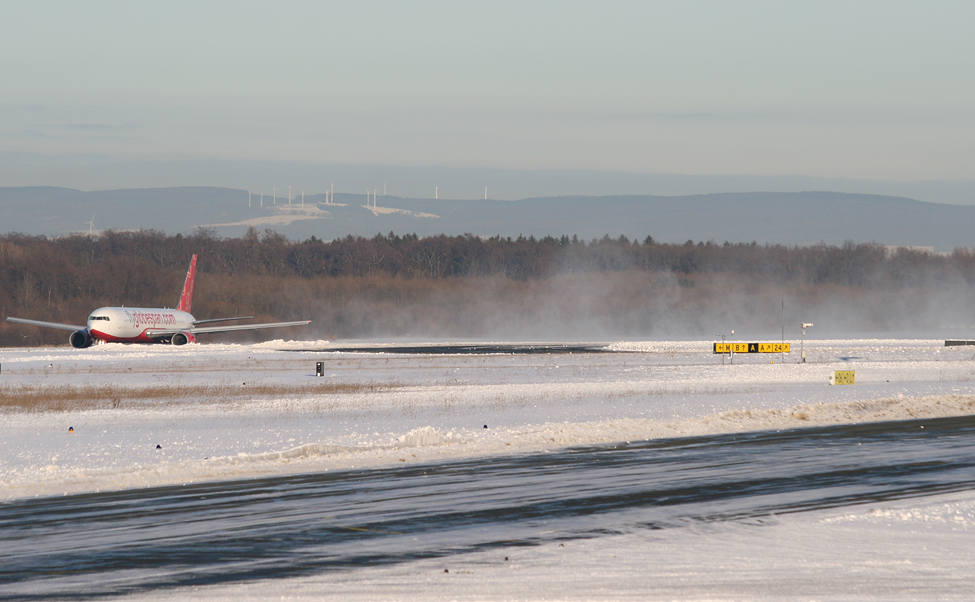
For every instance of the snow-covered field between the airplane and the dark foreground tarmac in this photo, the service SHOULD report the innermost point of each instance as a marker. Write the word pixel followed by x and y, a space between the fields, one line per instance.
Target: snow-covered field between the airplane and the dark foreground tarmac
pixel 169 415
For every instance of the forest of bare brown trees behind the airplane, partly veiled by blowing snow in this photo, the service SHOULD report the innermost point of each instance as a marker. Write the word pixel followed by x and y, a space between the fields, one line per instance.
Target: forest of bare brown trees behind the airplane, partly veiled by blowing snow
pixel 466 286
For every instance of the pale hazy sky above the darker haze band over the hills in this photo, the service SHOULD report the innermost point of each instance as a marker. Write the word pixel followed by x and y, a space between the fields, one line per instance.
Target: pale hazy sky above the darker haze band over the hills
pixel 881 89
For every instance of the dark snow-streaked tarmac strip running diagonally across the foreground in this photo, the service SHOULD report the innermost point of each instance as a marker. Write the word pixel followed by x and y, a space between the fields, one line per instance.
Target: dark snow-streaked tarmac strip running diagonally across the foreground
pixel 100 545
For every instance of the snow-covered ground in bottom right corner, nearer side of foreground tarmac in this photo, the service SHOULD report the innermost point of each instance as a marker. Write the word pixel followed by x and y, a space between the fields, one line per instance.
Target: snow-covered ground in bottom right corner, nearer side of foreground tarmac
pixel 903 551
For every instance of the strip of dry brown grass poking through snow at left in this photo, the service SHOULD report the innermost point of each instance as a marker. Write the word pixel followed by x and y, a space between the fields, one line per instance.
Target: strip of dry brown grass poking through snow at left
pixel 65 398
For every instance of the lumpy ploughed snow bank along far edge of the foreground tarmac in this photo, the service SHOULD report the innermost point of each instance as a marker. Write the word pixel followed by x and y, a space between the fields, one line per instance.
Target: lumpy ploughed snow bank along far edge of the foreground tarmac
pixel 120 456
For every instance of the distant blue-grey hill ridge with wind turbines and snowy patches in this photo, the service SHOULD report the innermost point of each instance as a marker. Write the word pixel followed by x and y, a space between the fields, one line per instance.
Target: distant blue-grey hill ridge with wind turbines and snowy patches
pixel 789 218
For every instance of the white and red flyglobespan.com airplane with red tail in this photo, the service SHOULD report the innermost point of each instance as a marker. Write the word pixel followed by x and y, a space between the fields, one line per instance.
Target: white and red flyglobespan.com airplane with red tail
pixel 150 325
